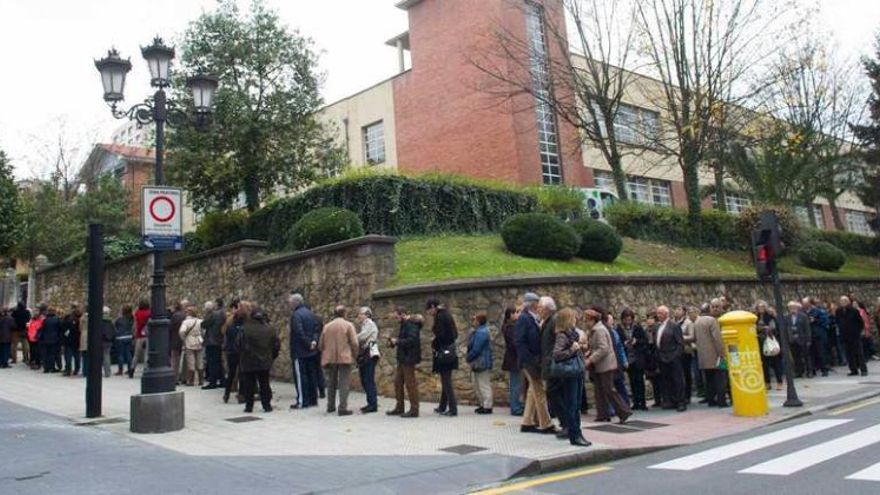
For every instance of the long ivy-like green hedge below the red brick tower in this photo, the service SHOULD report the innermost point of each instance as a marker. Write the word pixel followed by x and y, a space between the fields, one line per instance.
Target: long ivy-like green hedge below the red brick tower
pixel 398 205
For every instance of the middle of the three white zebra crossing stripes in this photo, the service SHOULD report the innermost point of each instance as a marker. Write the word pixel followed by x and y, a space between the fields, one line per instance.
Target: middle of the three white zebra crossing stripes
pixel 802 459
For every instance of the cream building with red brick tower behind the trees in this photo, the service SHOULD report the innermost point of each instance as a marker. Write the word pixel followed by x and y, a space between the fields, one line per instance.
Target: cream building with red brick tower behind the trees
pixel 436 117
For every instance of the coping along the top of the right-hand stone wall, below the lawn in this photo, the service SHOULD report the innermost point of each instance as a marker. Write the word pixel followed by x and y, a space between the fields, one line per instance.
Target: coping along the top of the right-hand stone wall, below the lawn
pixel 537 280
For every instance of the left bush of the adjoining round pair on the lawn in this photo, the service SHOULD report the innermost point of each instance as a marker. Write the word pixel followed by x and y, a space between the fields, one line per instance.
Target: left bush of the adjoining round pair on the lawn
pixel 540 235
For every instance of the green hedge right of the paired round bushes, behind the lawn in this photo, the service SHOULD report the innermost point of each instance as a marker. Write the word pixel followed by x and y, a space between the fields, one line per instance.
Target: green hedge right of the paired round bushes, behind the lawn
pixel 672 226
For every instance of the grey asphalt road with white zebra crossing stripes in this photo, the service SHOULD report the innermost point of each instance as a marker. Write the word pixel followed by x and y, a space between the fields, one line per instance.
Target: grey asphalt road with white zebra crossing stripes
pixel 837 453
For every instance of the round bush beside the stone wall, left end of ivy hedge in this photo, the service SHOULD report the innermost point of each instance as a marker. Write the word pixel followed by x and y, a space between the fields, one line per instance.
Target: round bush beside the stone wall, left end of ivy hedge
pixel 324 226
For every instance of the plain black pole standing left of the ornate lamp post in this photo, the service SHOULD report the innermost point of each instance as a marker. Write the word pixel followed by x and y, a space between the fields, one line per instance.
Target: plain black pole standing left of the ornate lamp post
pixel 95 345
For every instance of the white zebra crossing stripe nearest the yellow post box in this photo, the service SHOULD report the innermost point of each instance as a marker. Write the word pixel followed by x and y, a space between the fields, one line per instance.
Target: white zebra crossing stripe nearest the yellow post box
pixel 724 452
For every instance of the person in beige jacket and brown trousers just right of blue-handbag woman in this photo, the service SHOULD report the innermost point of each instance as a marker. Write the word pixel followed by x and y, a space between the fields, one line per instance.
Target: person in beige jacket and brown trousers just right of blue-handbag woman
pixel 602 361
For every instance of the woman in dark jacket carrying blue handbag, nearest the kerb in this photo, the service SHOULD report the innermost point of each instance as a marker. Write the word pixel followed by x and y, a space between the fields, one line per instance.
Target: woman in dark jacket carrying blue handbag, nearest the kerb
pixel 567 366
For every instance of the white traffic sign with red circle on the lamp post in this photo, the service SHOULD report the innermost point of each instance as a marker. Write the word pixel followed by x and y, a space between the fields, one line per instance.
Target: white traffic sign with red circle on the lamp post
pixel 162 226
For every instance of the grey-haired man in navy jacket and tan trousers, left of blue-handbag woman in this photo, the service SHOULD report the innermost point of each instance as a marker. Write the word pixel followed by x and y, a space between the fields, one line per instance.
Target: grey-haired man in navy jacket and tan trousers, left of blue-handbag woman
pixel 527 337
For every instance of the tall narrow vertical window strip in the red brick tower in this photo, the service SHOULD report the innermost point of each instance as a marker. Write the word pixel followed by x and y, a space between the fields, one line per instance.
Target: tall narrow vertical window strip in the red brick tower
pixel 548 136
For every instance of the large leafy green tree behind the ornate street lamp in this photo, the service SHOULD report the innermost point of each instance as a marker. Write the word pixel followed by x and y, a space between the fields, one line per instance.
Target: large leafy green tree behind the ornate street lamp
pixel 264 137
